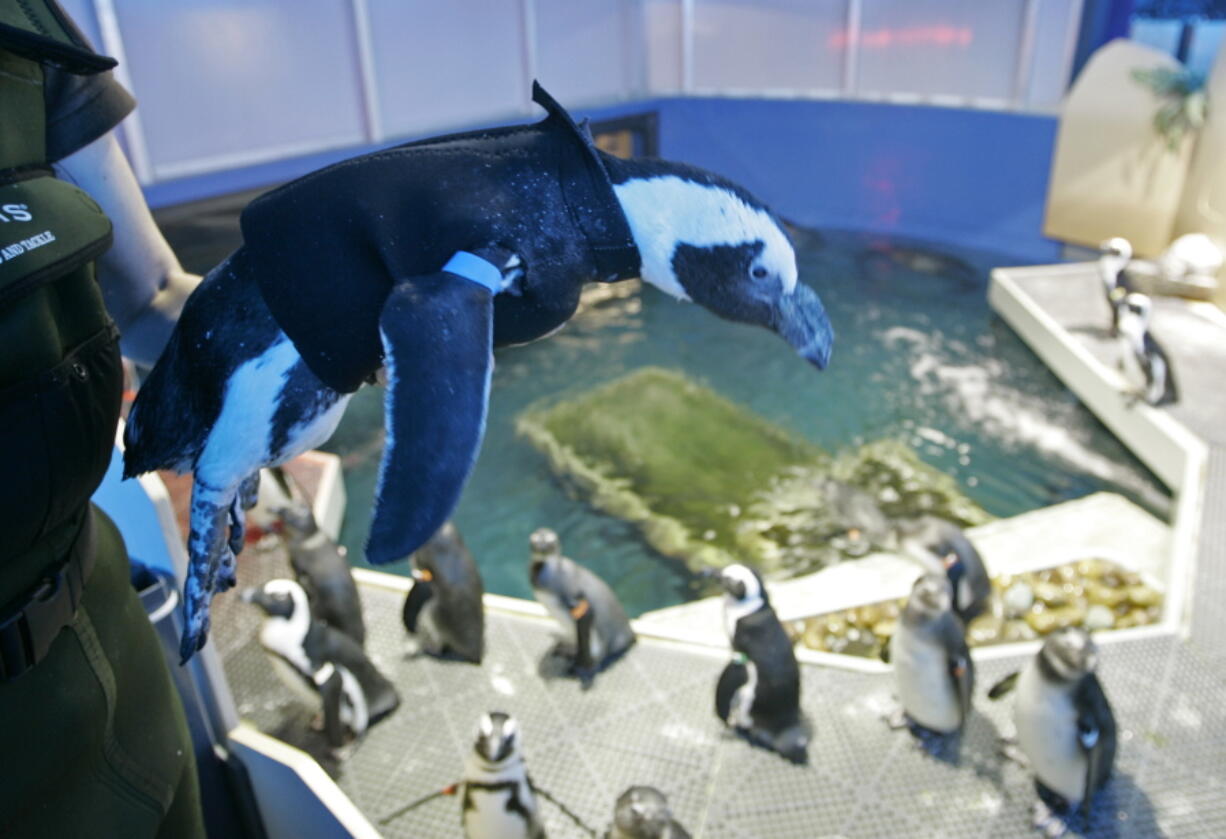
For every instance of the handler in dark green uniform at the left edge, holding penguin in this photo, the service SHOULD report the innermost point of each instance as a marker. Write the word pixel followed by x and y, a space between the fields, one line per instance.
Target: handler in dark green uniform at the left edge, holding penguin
pixel 93 734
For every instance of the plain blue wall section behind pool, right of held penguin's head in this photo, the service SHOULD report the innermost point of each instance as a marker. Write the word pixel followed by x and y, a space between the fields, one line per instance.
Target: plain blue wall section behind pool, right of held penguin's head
pixel 970 177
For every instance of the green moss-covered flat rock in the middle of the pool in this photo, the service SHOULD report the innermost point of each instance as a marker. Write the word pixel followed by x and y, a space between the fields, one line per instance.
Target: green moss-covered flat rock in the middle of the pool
pixel 710 483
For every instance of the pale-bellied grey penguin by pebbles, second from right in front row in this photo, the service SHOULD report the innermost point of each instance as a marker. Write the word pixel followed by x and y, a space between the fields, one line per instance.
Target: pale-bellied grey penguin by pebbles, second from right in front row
pixel 934 672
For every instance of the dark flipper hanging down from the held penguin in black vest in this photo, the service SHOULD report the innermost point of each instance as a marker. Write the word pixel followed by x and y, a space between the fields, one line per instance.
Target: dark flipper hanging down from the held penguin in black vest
pixel 437 335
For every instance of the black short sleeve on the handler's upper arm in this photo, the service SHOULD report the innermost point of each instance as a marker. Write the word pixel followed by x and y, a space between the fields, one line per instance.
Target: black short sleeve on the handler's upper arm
pixel 82 109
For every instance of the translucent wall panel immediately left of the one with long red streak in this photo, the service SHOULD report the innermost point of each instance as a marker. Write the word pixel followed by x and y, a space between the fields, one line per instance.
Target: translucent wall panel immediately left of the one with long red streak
pixel 769 45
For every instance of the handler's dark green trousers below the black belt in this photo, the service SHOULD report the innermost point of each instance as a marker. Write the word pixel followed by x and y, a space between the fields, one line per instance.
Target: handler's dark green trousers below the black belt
pixel 94 741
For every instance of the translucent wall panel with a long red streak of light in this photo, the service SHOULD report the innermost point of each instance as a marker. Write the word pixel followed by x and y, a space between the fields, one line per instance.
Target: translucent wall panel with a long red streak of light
pixel 965 48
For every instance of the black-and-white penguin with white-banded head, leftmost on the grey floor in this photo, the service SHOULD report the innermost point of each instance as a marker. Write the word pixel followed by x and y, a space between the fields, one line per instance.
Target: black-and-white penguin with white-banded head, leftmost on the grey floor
pixel 321 664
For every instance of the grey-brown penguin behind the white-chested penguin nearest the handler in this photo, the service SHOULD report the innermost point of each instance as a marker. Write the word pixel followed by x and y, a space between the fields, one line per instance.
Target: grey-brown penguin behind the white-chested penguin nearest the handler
pixel 323 570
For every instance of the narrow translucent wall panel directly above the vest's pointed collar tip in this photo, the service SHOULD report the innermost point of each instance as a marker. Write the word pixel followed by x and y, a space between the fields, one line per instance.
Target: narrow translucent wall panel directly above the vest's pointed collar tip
pixel 589 52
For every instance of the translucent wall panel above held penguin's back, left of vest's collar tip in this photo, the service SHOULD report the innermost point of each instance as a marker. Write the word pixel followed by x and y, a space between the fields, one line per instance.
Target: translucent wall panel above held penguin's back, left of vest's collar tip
pixel 447 64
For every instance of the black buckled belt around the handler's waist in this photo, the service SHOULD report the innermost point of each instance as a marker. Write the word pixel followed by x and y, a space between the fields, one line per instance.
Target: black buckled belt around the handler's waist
pixel 29 629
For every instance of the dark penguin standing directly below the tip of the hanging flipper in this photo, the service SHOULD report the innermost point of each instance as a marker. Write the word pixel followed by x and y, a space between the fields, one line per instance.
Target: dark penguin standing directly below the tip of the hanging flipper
pixel 444 609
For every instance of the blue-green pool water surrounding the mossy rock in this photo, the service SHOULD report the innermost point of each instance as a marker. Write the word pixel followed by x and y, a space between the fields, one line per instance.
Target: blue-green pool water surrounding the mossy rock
pixel 919 356
